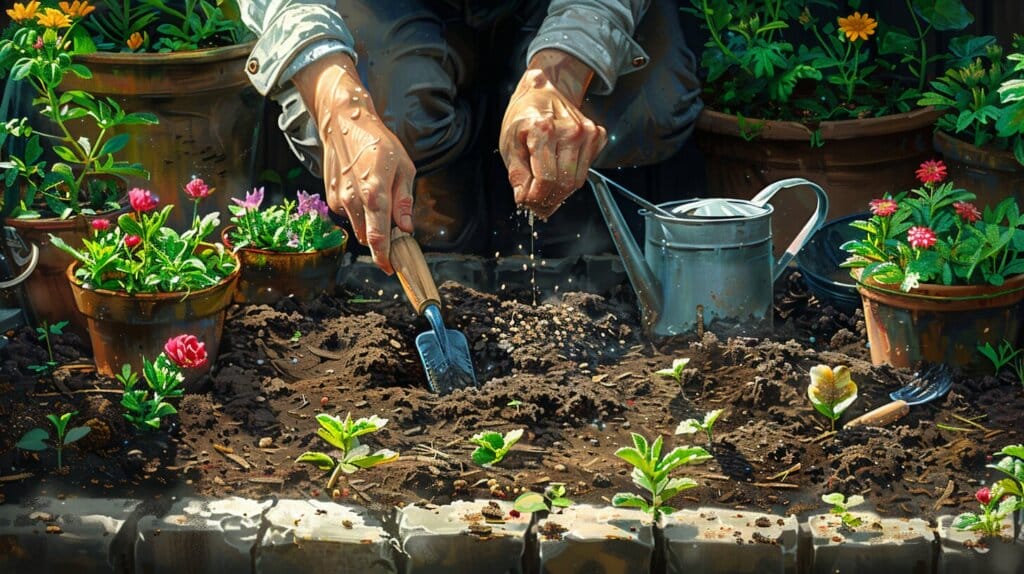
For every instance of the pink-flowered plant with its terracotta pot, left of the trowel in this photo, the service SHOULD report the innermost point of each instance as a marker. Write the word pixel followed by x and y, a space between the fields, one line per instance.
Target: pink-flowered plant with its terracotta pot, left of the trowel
pixel 141 283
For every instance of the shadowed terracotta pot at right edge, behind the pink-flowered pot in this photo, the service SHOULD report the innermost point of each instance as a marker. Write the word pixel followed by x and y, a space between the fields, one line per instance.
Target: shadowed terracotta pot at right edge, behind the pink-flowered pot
pixel 992 174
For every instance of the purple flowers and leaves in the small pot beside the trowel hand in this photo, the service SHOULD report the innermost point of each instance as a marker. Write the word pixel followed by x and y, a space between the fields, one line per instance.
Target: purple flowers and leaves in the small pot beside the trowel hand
pixel 293 227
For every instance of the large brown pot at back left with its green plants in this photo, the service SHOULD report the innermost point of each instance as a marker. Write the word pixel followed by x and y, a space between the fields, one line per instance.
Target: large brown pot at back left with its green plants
pixel 186 63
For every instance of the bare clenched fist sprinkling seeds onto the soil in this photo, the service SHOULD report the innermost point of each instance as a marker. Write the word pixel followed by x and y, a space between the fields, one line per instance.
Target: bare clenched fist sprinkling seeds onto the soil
pixel 547 144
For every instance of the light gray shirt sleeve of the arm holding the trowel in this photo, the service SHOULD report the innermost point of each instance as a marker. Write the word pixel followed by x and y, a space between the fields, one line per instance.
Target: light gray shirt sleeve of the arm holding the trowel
pixel 292 34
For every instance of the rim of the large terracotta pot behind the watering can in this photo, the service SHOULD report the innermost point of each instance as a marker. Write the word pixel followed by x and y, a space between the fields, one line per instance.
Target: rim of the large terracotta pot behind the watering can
pixel 729 124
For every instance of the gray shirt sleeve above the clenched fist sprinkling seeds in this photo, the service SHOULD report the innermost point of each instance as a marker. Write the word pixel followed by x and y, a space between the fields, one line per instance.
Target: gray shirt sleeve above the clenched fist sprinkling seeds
pixel 600 33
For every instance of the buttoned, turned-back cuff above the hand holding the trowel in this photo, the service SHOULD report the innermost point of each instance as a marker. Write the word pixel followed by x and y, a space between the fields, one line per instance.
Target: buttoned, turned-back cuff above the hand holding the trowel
pixel 288 37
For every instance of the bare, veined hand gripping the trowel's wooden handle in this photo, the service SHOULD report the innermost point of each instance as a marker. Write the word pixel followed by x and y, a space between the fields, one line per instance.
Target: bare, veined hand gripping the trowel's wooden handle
pixel 367 172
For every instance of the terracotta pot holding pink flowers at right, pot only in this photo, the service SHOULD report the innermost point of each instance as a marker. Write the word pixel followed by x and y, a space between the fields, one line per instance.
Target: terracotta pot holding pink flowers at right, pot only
pixel 941 324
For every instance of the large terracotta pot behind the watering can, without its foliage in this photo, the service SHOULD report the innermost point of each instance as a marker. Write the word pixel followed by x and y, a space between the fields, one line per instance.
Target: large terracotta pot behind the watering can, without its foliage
pixel 860 161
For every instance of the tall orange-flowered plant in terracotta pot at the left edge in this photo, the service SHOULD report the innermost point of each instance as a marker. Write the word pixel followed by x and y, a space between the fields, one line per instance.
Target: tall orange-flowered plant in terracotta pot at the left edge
pixel 59 178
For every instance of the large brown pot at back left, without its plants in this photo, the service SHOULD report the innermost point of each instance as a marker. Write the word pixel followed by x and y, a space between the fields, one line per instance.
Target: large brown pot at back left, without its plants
pixel 209 119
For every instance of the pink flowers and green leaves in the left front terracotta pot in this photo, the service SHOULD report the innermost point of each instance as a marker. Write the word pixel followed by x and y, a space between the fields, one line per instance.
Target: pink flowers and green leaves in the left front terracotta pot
pixel 139 254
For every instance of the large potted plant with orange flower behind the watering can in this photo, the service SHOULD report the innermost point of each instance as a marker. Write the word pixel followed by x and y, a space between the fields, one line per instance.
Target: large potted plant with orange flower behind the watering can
pixel 816 91
